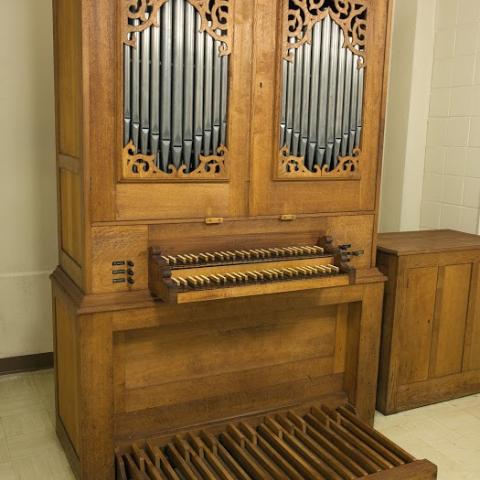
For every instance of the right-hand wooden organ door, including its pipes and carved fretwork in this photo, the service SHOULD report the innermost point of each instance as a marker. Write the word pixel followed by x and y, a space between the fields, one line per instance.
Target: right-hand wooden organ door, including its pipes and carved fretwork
pixel 317 105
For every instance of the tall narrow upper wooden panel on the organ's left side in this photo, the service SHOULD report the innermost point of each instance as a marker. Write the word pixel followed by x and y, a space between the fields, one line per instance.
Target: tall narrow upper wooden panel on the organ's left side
pixel 68 74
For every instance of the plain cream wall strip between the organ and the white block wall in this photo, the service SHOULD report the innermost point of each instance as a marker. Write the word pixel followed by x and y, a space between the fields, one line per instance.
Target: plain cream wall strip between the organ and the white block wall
pixel 407 114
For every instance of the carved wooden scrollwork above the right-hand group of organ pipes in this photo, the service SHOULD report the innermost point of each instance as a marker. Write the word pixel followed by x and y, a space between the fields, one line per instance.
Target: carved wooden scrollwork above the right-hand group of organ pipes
pixel 302 15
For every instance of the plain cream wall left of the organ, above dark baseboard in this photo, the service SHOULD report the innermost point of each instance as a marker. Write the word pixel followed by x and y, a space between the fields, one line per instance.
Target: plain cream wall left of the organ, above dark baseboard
pixel 28 238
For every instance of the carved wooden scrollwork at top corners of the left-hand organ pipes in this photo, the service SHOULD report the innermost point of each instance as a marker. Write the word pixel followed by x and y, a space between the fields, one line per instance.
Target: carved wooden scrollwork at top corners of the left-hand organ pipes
pixel 215 19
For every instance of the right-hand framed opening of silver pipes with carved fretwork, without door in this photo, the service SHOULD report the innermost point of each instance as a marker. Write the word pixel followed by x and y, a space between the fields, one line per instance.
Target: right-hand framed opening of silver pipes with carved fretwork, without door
pixel 323 68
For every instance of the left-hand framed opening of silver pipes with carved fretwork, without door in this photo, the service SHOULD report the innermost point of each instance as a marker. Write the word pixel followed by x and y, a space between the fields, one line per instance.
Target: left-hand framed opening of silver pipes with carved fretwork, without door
pixel 176 75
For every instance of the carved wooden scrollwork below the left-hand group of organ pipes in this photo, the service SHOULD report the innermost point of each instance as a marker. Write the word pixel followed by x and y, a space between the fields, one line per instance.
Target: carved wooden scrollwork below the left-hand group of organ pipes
pixel 211 167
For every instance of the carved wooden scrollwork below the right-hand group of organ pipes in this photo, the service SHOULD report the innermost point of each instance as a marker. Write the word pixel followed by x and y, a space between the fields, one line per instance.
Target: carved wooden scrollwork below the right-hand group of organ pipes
pixel 293 168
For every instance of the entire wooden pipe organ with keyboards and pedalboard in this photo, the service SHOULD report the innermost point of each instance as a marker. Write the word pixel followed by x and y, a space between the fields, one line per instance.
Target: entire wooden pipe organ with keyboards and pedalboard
pixel 217 307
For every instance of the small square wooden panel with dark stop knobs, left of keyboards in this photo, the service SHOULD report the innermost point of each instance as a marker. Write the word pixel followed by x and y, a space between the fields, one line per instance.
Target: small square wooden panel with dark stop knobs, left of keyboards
pixel 111 244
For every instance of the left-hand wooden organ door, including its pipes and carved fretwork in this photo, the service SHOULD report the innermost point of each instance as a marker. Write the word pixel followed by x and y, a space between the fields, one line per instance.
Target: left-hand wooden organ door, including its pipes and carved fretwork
pixel 169 125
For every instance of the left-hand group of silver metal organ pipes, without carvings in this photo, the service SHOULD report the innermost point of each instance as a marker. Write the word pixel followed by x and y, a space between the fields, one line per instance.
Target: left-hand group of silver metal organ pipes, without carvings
pixel 175 103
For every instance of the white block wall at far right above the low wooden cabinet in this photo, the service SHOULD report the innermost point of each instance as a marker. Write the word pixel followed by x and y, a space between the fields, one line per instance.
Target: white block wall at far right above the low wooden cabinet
pixel 451 190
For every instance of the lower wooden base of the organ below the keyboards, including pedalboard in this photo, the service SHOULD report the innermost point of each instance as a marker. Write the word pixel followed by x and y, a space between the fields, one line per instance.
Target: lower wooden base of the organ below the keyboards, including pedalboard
pixel 244 388
